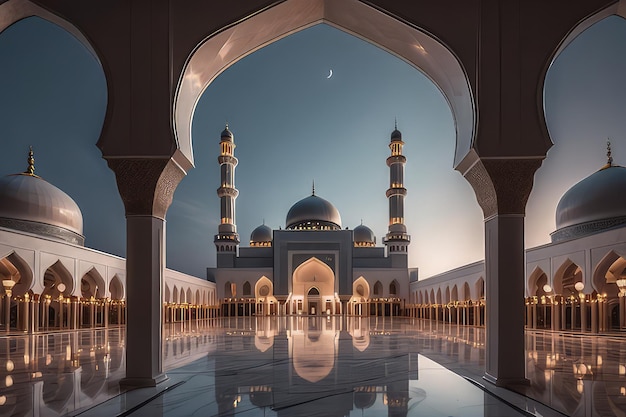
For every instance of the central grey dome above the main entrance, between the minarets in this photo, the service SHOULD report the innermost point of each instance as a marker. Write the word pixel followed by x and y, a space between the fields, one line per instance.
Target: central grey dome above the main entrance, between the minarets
pixel 313 213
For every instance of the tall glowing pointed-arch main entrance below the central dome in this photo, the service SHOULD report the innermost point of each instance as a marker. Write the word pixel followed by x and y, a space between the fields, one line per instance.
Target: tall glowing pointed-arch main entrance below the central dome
pixel 313 289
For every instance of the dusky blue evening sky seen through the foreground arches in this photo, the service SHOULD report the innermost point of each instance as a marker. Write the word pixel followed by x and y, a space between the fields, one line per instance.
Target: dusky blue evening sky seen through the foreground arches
pixel 293 125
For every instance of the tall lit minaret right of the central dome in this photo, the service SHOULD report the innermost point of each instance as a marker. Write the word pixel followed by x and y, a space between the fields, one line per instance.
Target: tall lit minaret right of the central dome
pixel 396 240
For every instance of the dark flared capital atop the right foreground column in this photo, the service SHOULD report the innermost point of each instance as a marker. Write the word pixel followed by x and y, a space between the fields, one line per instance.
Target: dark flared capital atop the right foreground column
pixel 502 185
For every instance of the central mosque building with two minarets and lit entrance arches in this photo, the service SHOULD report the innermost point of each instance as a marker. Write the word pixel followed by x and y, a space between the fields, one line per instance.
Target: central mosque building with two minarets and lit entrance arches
pixel 313 266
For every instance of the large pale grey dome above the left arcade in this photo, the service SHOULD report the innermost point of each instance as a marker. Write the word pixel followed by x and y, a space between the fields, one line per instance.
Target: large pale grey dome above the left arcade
pixel 31 204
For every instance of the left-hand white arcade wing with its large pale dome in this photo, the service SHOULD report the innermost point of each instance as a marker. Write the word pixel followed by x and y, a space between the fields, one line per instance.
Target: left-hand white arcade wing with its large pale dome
pixel 51 281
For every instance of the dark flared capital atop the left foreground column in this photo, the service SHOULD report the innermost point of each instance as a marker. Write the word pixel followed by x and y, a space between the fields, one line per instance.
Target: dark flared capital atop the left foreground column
pixel 146 185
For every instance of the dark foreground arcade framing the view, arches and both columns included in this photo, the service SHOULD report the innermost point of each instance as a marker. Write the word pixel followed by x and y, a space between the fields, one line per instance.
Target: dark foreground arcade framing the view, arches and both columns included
pixel 503 46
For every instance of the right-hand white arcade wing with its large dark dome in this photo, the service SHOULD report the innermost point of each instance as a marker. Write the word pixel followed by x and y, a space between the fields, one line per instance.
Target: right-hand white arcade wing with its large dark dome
pixel 575 283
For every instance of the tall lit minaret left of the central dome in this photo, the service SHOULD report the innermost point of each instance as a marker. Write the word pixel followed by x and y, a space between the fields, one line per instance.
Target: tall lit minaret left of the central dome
pixel 227 239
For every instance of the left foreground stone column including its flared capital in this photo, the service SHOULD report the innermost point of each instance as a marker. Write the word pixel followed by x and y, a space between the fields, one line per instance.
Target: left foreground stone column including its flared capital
pixel 147 187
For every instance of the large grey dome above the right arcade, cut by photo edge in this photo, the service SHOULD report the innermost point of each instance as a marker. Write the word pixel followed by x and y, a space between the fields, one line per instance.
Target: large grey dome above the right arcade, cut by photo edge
pixel 593 204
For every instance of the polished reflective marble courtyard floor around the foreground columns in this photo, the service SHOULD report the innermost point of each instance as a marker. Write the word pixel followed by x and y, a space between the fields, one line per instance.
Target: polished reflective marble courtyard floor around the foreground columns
pixel 311 366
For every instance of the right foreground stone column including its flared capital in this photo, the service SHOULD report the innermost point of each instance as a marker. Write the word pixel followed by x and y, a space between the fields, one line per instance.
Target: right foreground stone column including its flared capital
pixel 502 187
